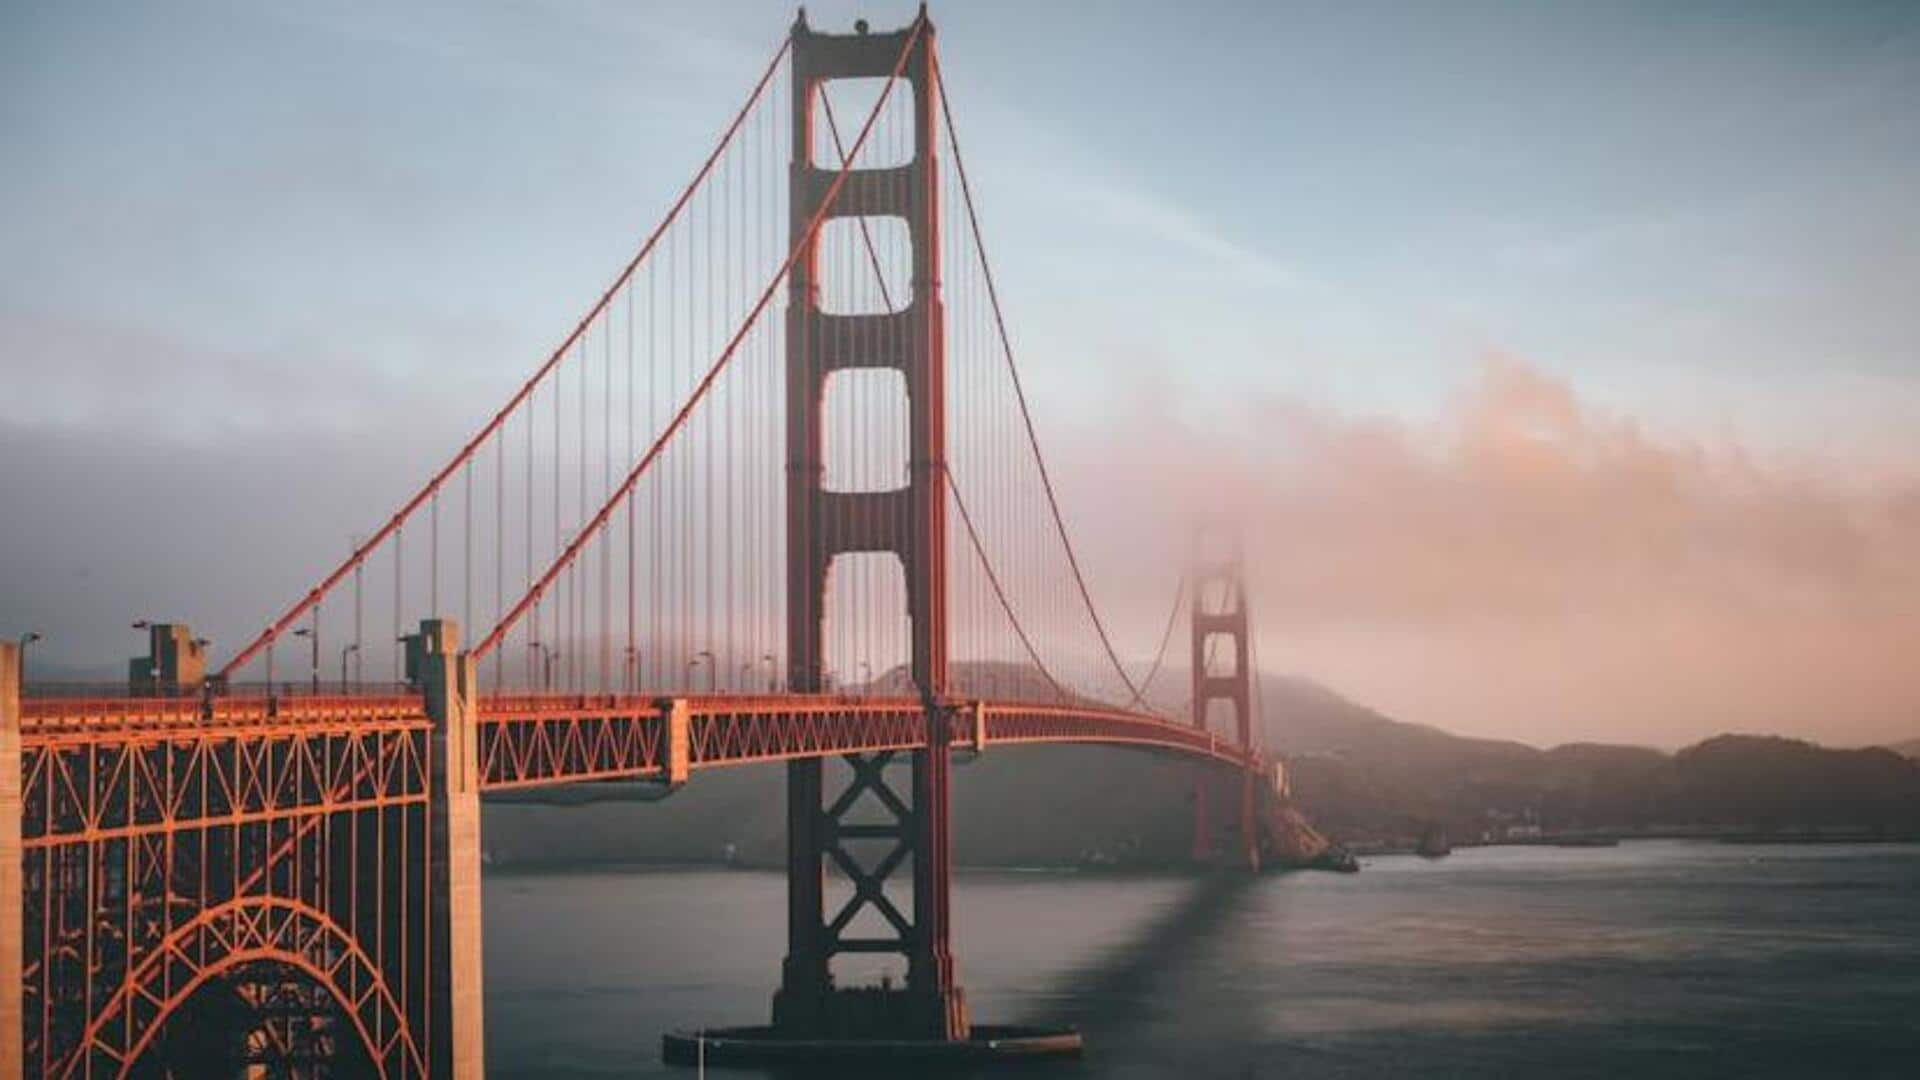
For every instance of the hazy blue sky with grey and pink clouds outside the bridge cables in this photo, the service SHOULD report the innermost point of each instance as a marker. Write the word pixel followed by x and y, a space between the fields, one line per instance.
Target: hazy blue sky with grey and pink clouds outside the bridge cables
pixel 1564 362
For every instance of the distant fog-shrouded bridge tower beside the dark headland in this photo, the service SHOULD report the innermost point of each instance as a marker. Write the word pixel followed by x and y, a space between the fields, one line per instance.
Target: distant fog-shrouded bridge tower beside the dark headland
pixel 1218 614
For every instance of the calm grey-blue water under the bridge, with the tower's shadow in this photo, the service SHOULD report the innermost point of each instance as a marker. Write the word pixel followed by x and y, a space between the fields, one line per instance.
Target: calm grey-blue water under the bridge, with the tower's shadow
pixel 1650 960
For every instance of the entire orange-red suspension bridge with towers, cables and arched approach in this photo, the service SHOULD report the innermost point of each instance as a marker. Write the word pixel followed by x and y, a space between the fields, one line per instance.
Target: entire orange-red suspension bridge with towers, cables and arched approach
pixel 777 499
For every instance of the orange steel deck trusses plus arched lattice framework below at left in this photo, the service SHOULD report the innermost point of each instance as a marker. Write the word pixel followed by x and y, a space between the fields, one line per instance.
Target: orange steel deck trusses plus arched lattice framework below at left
pixel 147 823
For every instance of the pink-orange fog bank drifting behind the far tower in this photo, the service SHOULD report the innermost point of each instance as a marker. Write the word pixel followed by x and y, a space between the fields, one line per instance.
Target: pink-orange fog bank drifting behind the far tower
pixel 1535 568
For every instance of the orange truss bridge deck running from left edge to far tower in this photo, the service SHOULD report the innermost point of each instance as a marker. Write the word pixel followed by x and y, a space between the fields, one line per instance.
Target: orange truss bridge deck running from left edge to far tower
pixel 101 768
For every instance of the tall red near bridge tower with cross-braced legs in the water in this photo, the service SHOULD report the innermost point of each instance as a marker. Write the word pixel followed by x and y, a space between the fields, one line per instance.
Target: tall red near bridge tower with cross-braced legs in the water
pixel 909 524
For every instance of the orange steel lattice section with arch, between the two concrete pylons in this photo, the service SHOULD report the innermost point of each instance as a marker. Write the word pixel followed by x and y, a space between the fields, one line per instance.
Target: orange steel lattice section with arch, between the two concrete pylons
pixel 170 843
